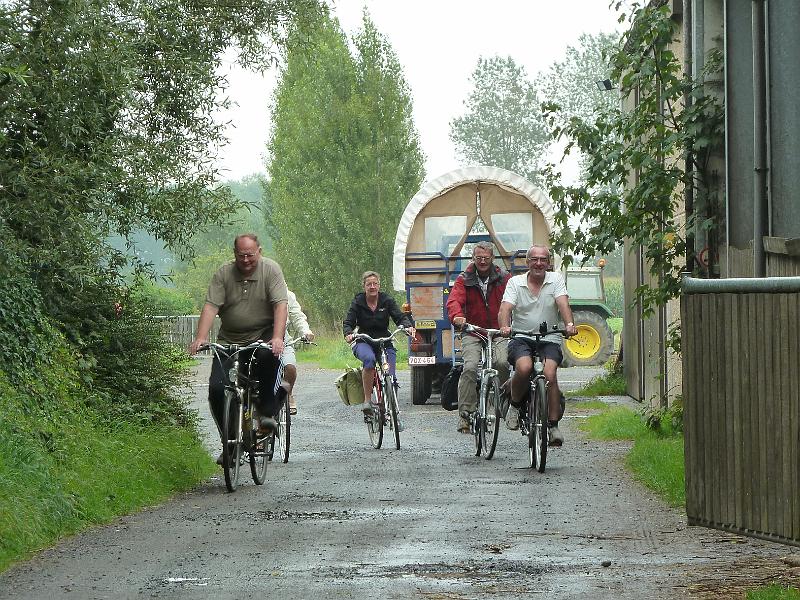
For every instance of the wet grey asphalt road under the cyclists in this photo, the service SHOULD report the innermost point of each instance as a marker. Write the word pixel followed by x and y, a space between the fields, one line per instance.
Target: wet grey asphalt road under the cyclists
pixel 431 520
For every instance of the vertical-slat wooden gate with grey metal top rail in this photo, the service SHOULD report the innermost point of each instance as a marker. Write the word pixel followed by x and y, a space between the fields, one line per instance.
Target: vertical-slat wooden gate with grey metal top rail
pixel 741 385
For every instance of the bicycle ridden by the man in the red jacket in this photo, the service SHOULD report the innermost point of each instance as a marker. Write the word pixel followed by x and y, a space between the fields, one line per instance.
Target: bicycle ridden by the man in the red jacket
pixel 484 423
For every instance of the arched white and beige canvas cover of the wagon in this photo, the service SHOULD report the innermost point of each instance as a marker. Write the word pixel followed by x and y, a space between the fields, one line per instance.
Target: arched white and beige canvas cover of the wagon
pixel 500 191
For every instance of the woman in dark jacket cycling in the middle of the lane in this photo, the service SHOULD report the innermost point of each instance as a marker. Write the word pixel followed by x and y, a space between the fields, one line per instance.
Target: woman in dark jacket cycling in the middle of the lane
pixel 370 312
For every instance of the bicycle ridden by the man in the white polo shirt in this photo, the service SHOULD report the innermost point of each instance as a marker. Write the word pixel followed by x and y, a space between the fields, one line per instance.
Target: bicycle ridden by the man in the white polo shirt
pixel 534 414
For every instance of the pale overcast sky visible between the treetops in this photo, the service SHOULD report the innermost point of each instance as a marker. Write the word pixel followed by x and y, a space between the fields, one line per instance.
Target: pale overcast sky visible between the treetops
pixel 438 42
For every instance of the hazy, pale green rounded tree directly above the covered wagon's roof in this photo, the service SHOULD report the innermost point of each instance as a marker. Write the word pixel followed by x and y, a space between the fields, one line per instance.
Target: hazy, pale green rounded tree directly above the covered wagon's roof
pixel 502 125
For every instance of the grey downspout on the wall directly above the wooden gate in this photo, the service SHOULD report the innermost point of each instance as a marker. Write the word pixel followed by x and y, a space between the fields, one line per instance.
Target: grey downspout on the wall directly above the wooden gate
pixel 760 198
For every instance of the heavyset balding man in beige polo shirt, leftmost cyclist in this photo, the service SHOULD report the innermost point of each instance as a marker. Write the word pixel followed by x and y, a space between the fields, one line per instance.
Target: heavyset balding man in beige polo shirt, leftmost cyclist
pixel 249 294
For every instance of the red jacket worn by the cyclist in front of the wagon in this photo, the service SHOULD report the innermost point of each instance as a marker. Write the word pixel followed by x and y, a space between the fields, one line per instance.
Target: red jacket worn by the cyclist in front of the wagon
pixel 466 298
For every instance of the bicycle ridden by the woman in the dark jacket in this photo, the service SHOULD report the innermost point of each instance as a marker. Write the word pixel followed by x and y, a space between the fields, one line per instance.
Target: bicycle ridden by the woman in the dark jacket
pixel 384 393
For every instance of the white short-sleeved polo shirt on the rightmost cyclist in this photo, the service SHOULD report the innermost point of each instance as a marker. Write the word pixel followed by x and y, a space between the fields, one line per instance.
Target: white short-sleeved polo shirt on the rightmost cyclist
pixel 529 310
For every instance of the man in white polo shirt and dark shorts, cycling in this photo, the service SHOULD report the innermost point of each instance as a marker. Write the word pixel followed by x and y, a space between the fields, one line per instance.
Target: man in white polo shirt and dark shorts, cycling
pixel 540 295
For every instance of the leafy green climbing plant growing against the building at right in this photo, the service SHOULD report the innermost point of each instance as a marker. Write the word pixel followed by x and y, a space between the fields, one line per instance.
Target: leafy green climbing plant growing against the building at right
pixel 652 139
